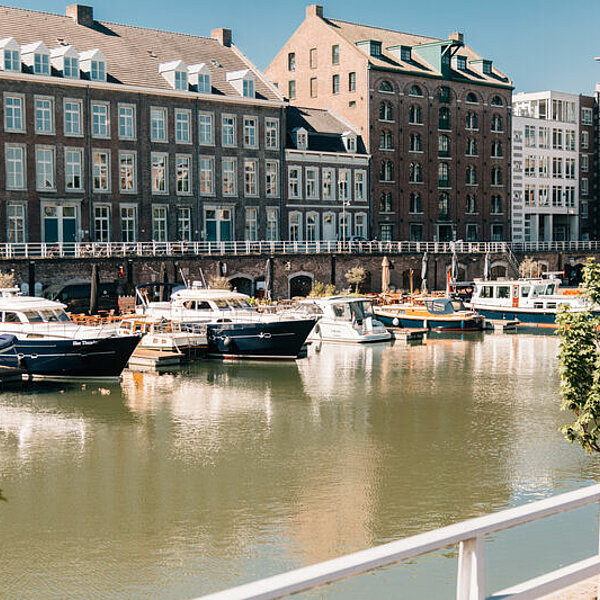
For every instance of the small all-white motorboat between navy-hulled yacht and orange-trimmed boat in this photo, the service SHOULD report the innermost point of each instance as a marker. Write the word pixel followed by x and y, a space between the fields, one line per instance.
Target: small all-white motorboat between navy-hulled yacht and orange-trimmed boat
pixel 343 319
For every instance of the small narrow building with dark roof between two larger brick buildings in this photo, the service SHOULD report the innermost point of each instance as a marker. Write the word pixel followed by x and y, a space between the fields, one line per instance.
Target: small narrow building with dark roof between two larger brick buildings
pixel 327 174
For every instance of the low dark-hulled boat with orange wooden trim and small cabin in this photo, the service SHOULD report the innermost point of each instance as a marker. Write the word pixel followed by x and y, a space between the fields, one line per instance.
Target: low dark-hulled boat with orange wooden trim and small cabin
pixel 447 314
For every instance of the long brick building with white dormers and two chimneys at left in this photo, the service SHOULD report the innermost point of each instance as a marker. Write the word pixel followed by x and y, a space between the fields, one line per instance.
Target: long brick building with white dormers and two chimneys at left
pixel 119 133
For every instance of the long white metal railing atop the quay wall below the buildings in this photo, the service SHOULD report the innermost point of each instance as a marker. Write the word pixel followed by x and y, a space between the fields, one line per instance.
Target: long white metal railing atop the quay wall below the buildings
pixel 189 249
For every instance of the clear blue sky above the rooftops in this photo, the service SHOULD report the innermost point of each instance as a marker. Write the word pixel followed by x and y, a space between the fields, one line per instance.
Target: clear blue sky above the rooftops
pixel 548 44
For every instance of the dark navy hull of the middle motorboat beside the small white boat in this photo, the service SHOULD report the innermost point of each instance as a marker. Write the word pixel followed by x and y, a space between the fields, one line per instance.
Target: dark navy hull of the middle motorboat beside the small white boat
pixel 259 340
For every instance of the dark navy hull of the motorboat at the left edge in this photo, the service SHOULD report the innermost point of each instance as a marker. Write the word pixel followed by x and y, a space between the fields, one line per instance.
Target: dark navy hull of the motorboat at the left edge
pixel 101 357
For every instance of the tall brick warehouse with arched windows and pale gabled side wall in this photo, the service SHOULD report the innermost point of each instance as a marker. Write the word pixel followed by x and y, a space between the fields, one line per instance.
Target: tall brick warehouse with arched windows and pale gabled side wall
pixel 435 117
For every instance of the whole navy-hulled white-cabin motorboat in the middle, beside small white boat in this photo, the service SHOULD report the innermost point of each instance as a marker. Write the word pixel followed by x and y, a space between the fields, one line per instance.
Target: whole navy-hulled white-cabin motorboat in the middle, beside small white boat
pixel 234 329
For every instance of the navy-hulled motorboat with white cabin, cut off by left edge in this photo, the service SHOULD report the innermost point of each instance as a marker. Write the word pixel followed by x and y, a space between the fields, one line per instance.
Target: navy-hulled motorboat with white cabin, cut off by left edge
pixel 49 344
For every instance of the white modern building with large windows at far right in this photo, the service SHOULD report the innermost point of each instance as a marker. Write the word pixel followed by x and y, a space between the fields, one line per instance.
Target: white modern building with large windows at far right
pixel 549 166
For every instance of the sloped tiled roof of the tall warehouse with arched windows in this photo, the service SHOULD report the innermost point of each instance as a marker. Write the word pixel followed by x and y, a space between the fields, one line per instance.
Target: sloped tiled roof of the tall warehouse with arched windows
pixel 354 33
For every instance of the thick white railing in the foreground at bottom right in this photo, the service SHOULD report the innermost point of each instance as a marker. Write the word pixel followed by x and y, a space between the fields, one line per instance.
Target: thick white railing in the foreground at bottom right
pixel 469 535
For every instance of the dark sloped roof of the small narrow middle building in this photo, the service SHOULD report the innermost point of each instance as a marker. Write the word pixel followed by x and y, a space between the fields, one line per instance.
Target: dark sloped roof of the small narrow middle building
pixel 324 129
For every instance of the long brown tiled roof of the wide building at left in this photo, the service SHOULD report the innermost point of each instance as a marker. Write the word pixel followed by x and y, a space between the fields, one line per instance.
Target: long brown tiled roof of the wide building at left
pixel 132 53
